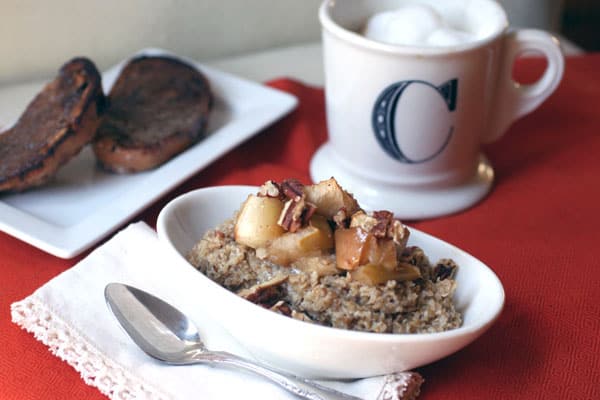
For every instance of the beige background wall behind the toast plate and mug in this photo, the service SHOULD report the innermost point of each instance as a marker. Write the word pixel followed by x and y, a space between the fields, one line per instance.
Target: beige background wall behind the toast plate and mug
pixel 36 37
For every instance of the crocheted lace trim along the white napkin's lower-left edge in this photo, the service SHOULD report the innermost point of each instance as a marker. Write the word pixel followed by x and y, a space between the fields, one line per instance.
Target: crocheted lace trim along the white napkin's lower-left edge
pixel 70 346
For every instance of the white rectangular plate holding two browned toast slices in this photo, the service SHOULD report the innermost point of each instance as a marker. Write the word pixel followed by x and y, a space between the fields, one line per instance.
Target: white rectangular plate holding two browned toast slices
pixel 83 204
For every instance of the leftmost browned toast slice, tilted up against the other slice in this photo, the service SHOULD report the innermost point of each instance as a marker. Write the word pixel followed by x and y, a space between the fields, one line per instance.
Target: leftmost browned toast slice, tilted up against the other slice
pixel 56 125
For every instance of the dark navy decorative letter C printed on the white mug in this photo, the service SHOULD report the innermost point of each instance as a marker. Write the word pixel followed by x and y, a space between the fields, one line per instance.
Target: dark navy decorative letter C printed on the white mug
pixel 384 118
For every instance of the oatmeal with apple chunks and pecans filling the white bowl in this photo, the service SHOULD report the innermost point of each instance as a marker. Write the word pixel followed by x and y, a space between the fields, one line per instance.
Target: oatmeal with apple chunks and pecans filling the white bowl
pixel 311 253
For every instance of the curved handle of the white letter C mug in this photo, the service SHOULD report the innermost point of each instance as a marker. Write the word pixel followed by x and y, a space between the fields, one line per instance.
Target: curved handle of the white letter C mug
pixel 513 100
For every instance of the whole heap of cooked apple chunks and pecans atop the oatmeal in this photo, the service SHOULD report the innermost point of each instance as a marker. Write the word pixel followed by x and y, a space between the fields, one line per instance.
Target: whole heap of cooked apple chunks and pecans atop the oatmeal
pixel 289 223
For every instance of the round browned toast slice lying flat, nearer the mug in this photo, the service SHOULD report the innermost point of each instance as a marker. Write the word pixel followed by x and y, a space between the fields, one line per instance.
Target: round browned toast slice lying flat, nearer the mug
pixel 158 107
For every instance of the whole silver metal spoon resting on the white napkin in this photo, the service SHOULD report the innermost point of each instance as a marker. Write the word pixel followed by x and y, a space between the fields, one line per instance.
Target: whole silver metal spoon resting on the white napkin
pixel 166 334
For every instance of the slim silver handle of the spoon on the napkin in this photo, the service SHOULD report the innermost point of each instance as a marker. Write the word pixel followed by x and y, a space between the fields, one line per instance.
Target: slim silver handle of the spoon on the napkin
pixel 303 388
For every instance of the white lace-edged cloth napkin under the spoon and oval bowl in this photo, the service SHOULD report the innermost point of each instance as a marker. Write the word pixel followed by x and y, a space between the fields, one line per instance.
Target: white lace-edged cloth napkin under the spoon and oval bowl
pixel 69 315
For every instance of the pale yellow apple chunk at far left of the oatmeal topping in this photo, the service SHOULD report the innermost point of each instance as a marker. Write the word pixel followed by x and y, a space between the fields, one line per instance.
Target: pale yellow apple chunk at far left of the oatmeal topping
pixel 256 223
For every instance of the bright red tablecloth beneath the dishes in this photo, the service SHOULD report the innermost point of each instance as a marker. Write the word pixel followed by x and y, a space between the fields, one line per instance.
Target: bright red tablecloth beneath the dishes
pixel 538 230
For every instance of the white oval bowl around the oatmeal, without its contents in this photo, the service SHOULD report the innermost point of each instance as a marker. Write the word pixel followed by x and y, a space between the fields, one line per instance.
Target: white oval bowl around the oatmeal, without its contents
pixel 316 351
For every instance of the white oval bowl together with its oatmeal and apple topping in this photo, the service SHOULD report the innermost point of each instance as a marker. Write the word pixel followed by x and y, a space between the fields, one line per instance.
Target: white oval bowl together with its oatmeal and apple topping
pixel 259 284
